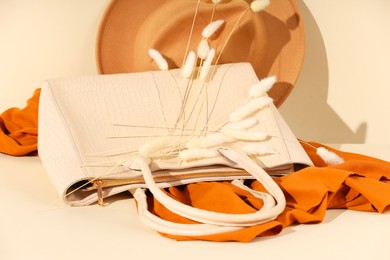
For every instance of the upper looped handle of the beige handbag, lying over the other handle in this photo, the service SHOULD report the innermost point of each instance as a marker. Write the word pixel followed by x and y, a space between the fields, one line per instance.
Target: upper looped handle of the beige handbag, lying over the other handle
pixel 222 219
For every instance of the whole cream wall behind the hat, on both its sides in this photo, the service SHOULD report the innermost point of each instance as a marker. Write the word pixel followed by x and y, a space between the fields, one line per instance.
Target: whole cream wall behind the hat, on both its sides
pixel 341 96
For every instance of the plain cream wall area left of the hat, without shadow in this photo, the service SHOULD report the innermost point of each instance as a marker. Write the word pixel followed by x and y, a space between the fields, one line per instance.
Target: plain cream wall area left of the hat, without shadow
pixel 42 39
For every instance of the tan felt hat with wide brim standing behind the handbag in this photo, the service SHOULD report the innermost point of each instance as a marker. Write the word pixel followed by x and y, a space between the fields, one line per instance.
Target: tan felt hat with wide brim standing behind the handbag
pixel 273 40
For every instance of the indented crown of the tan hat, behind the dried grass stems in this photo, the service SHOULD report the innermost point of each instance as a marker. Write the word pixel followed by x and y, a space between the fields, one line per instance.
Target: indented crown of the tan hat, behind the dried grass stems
pixel 168 27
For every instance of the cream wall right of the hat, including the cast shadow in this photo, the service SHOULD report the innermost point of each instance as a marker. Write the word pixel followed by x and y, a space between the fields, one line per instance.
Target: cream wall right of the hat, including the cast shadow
pixel 344 89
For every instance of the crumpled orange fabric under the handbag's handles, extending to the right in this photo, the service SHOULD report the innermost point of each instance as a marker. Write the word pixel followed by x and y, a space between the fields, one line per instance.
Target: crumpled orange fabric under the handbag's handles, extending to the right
pixel 361 183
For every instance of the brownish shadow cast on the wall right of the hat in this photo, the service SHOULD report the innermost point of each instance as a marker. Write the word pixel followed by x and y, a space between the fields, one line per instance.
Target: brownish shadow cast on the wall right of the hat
pixel 306 110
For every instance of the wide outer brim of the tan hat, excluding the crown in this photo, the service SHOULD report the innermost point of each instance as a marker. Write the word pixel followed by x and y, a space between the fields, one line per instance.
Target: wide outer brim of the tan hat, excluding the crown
pixel 285 46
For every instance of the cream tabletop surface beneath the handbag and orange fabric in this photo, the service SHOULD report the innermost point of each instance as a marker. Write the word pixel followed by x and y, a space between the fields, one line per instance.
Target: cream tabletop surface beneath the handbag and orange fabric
pixel 36 224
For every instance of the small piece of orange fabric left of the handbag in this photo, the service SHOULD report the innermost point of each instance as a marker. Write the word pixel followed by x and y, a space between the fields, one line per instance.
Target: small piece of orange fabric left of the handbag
pixel 19 128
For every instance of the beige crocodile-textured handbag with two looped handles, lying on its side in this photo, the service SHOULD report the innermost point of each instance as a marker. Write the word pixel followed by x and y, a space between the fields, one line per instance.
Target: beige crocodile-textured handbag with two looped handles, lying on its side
pixel 102 135
